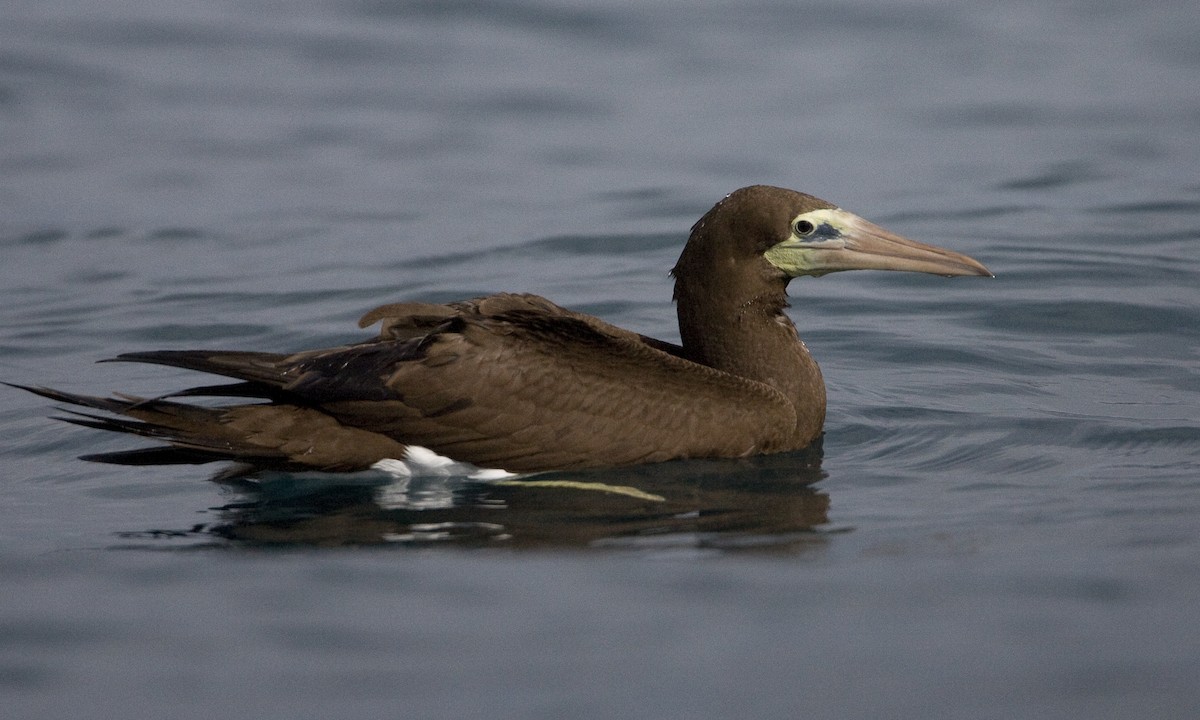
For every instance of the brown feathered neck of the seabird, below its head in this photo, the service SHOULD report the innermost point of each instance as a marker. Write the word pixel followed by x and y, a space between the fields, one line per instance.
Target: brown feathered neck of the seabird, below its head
pixel 753 338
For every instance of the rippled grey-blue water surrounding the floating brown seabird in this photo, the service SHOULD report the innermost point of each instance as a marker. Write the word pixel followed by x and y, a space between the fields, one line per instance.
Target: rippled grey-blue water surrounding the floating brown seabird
pixel 1005 520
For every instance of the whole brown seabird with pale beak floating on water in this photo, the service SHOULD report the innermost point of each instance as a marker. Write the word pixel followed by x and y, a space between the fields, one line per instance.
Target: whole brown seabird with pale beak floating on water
pixel 518 383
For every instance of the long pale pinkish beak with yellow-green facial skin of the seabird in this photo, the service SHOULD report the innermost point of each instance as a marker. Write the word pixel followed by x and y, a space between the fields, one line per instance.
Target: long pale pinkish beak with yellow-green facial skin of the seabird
pixel 842 241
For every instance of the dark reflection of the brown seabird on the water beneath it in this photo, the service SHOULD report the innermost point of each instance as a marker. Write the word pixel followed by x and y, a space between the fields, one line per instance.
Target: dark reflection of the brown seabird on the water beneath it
pixel 673 506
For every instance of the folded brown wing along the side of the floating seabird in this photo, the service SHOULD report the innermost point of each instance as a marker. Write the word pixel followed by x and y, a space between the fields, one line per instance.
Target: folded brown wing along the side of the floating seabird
pixel 511 382
